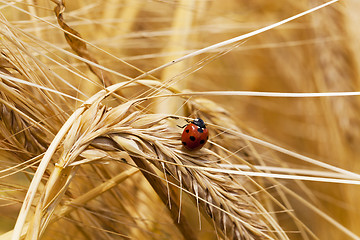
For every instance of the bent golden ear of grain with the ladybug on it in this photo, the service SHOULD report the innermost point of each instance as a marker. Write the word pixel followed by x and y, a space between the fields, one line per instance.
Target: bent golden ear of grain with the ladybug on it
pixel 149 137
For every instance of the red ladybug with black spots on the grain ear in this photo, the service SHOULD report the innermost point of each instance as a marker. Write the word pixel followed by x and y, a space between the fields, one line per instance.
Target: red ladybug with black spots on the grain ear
pixel 194 135
